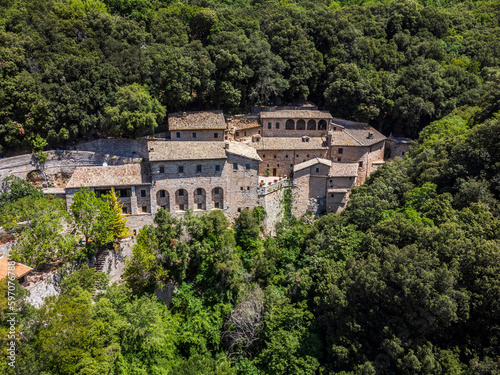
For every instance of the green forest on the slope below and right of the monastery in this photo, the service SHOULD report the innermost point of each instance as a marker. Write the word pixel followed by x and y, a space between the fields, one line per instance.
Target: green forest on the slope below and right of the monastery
pixel 405 281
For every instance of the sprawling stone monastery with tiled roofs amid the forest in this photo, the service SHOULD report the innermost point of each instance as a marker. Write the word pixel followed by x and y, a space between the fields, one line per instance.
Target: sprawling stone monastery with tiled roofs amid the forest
pixel 207 161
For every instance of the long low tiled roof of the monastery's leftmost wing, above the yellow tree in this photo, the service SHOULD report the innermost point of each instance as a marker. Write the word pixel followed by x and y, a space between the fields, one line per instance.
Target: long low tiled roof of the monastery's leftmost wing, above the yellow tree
pixel 115 175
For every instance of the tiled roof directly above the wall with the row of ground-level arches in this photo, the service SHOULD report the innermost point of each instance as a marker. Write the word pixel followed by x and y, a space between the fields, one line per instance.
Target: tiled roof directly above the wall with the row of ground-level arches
pixel 197 150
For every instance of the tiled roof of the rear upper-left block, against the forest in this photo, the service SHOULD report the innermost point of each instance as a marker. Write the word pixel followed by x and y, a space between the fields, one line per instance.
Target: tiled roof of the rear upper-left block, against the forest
pixel 198 120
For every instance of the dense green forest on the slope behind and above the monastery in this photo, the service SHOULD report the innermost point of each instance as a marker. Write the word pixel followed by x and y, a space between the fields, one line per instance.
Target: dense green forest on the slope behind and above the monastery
pixel 73 69
